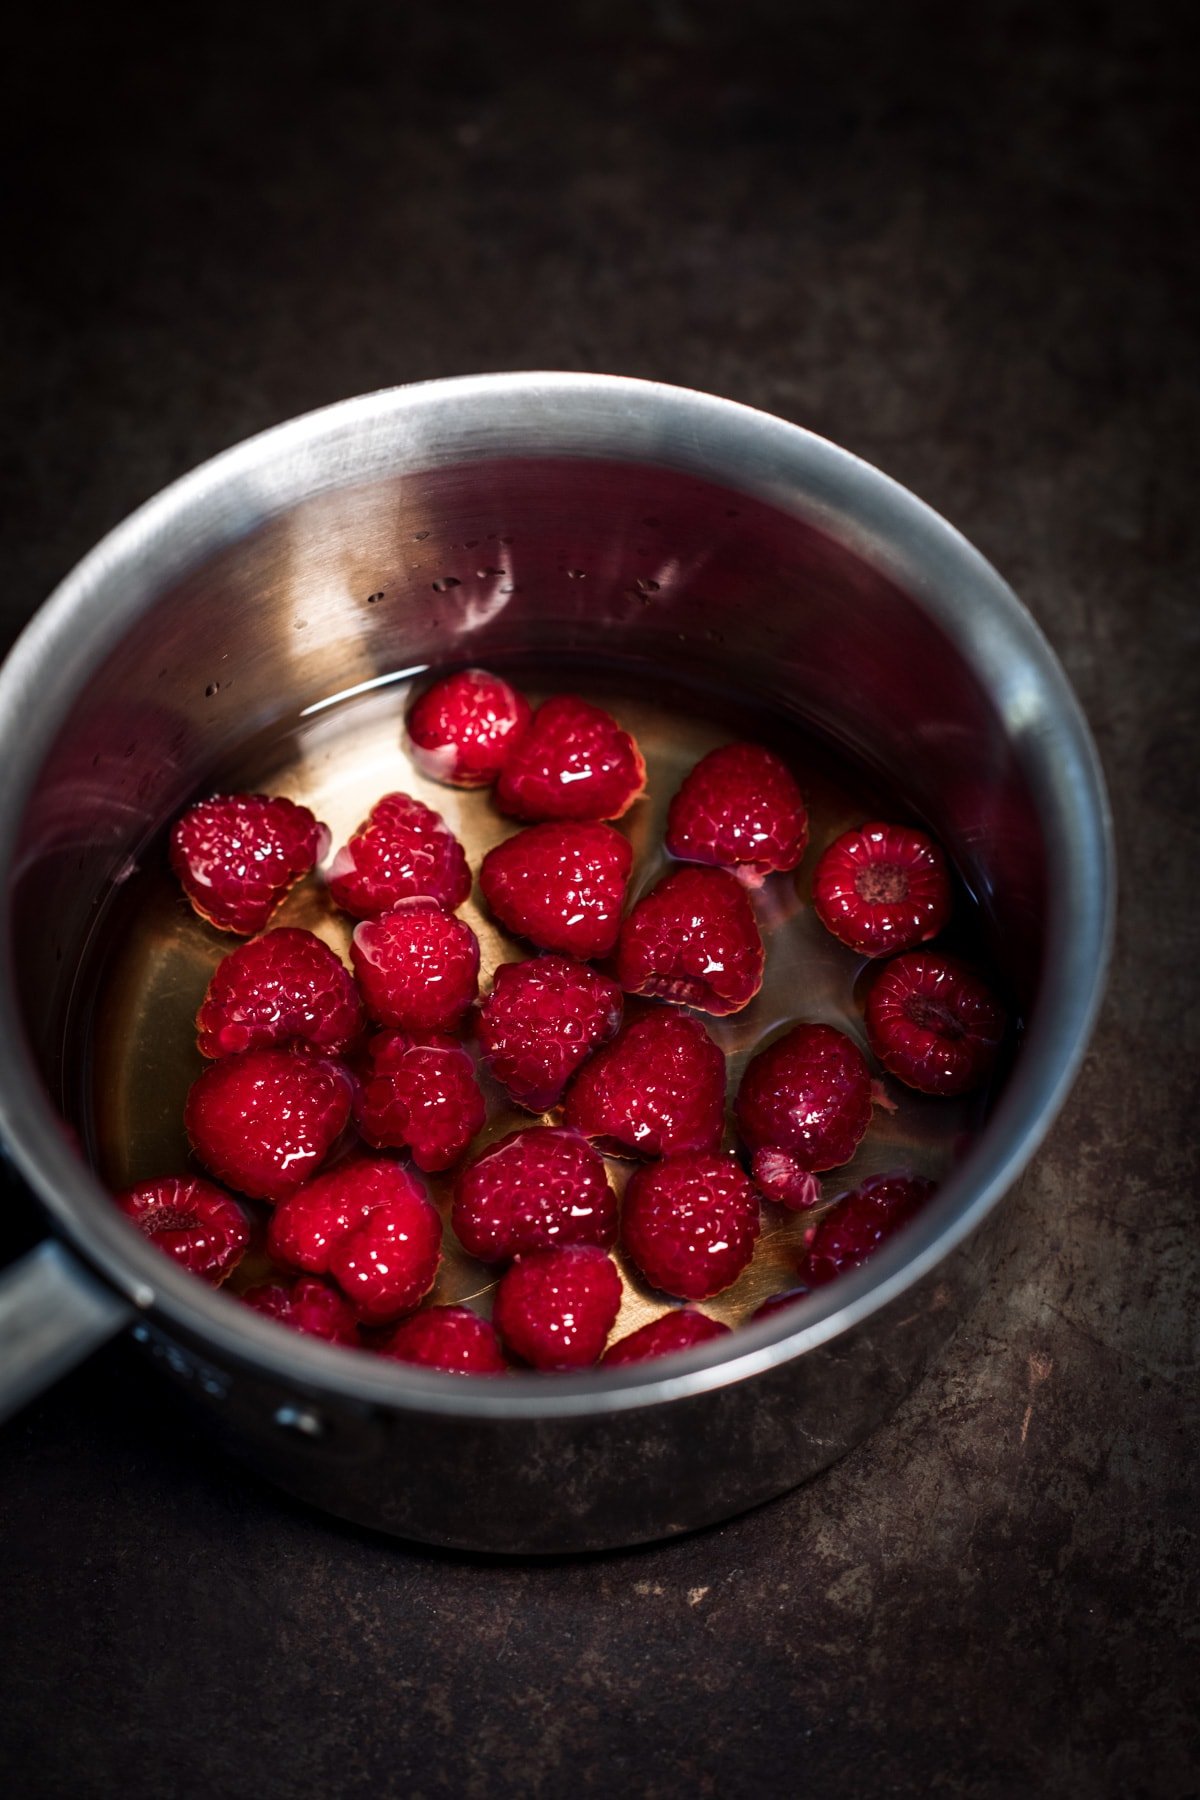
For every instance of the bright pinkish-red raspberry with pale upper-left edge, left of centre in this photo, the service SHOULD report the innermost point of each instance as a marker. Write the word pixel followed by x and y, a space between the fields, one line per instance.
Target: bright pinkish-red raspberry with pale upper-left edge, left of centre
pixel 418 966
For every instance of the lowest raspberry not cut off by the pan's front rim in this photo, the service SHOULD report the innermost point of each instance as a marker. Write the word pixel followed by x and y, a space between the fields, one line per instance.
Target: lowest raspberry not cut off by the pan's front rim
pixel 555 1308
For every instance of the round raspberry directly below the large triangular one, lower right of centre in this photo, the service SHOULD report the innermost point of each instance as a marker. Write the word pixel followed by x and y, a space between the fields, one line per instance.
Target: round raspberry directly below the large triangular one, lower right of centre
pixel 690 1225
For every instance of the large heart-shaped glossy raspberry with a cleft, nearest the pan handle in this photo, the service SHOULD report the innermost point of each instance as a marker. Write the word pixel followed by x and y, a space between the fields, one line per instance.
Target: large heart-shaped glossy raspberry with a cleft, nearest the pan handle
pixel 372 1227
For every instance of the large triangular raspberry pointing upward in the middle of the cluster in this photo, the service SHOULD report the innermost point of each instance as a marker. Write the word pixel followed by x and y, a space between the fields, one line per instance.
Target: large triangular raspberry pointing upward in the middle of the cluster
pixel 658 1088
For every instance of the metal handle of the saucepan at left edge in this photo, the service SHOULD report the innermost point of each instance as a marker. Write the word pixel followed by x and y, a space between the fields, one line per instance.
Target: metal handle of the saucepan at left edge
pixel 53 1313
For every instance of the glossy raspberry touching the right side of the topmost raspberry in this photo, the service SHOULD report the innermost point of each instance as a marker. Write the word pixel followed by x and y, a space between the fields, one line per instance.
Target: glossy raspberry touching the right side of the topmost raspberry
pixel 575 762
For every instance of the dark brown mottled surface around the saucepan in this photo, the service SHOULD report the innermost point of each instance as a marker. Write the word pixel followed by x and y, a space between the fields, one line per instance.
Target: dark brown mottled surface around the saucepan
pixel 958 242
